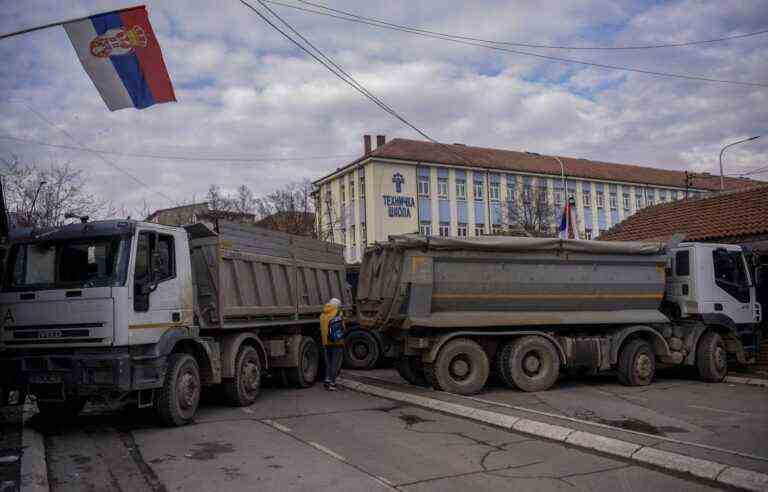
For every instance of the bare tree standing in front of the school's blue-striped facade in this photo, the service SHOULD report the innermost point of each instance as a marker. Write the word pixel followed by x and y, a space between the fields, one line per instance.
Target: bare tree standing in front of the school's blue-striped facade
pixel 528 208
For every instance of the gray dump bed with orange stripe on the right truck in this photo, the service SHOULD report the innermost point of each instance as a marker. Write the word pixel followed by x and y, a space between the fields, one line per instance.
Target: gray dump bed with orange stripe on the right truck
pixel 413 281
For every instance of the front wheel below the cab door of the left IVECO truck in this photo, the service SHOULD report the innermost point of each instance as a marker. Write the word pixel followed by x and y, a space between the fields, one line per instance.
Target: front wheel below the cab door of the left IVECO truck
pixel 180 394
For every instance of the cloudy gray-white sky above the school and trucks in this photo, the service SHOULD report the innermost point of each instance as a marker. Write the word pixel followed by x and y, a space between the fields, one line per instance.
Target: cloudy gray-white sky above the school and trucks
pixel 244 92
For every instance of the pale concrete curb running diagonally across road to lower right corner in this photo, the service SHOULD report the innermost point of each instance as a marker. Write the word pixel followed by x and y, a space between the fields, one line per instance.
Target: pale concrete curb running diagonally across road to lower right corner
pixel 679 463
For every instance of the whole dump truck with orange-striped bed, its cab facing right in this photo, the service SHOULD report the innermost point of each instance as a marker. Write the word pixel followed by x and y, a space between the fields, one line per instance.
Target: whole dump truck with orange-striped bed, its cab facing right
pixel 458 310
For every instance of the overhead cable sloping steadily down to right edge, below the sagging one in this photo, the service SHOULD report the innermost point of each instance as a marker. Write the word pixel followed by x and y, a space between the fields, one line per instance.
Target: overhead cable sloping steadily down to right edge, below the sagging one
pixel 428 34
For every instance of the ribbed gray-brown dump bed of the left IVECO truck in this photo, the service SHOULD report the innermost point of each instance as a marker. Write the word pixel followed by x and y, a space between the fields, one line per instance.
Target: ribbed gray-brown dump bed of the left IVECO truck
pixel 247 276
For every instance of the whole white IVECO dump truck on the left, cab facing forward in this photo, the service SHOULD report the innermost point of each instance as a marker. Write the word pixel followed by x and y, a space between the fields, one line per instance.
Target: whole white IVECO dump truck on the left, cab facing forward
pixel 122 310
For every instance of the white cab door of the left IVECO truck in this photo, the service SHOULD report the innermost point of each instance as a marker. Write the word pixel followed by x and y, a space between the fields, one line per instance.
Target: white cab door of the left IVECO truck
pixel 156 287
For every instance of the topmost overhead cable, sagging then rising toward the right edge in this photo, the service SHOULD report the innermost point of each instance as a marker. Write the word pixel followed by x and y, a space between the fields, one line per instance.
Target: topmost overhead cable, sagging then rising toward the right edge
pixel 531 45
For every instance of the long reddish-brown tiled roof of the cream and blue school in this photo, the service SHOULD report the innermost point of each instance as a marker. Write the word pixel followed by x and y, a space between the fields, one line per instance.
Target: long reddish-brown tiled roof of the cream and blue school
pixel 527 162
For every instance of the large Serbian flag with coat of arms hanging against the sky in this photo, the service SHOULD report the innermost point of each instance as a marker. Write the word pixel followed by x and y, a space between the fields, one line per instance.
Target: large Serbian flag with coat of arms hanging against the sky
pixel 121 55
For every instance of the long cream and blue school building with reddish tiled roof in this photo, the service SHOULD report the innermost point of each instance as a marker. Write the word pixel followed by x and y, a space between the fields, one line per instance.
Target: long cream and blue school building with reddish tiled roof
pixel 407 186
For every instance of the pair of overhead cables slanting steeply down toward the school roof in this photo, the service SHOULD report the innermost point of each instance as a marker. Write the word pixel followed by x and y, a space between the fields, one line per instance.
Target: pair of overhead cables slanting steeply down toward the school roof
pixel 338 71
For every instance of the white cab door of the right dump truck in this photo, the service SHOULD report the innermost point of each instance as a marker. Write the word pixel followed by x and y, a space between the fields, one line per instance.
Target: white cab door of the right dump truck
pixel 732 290
